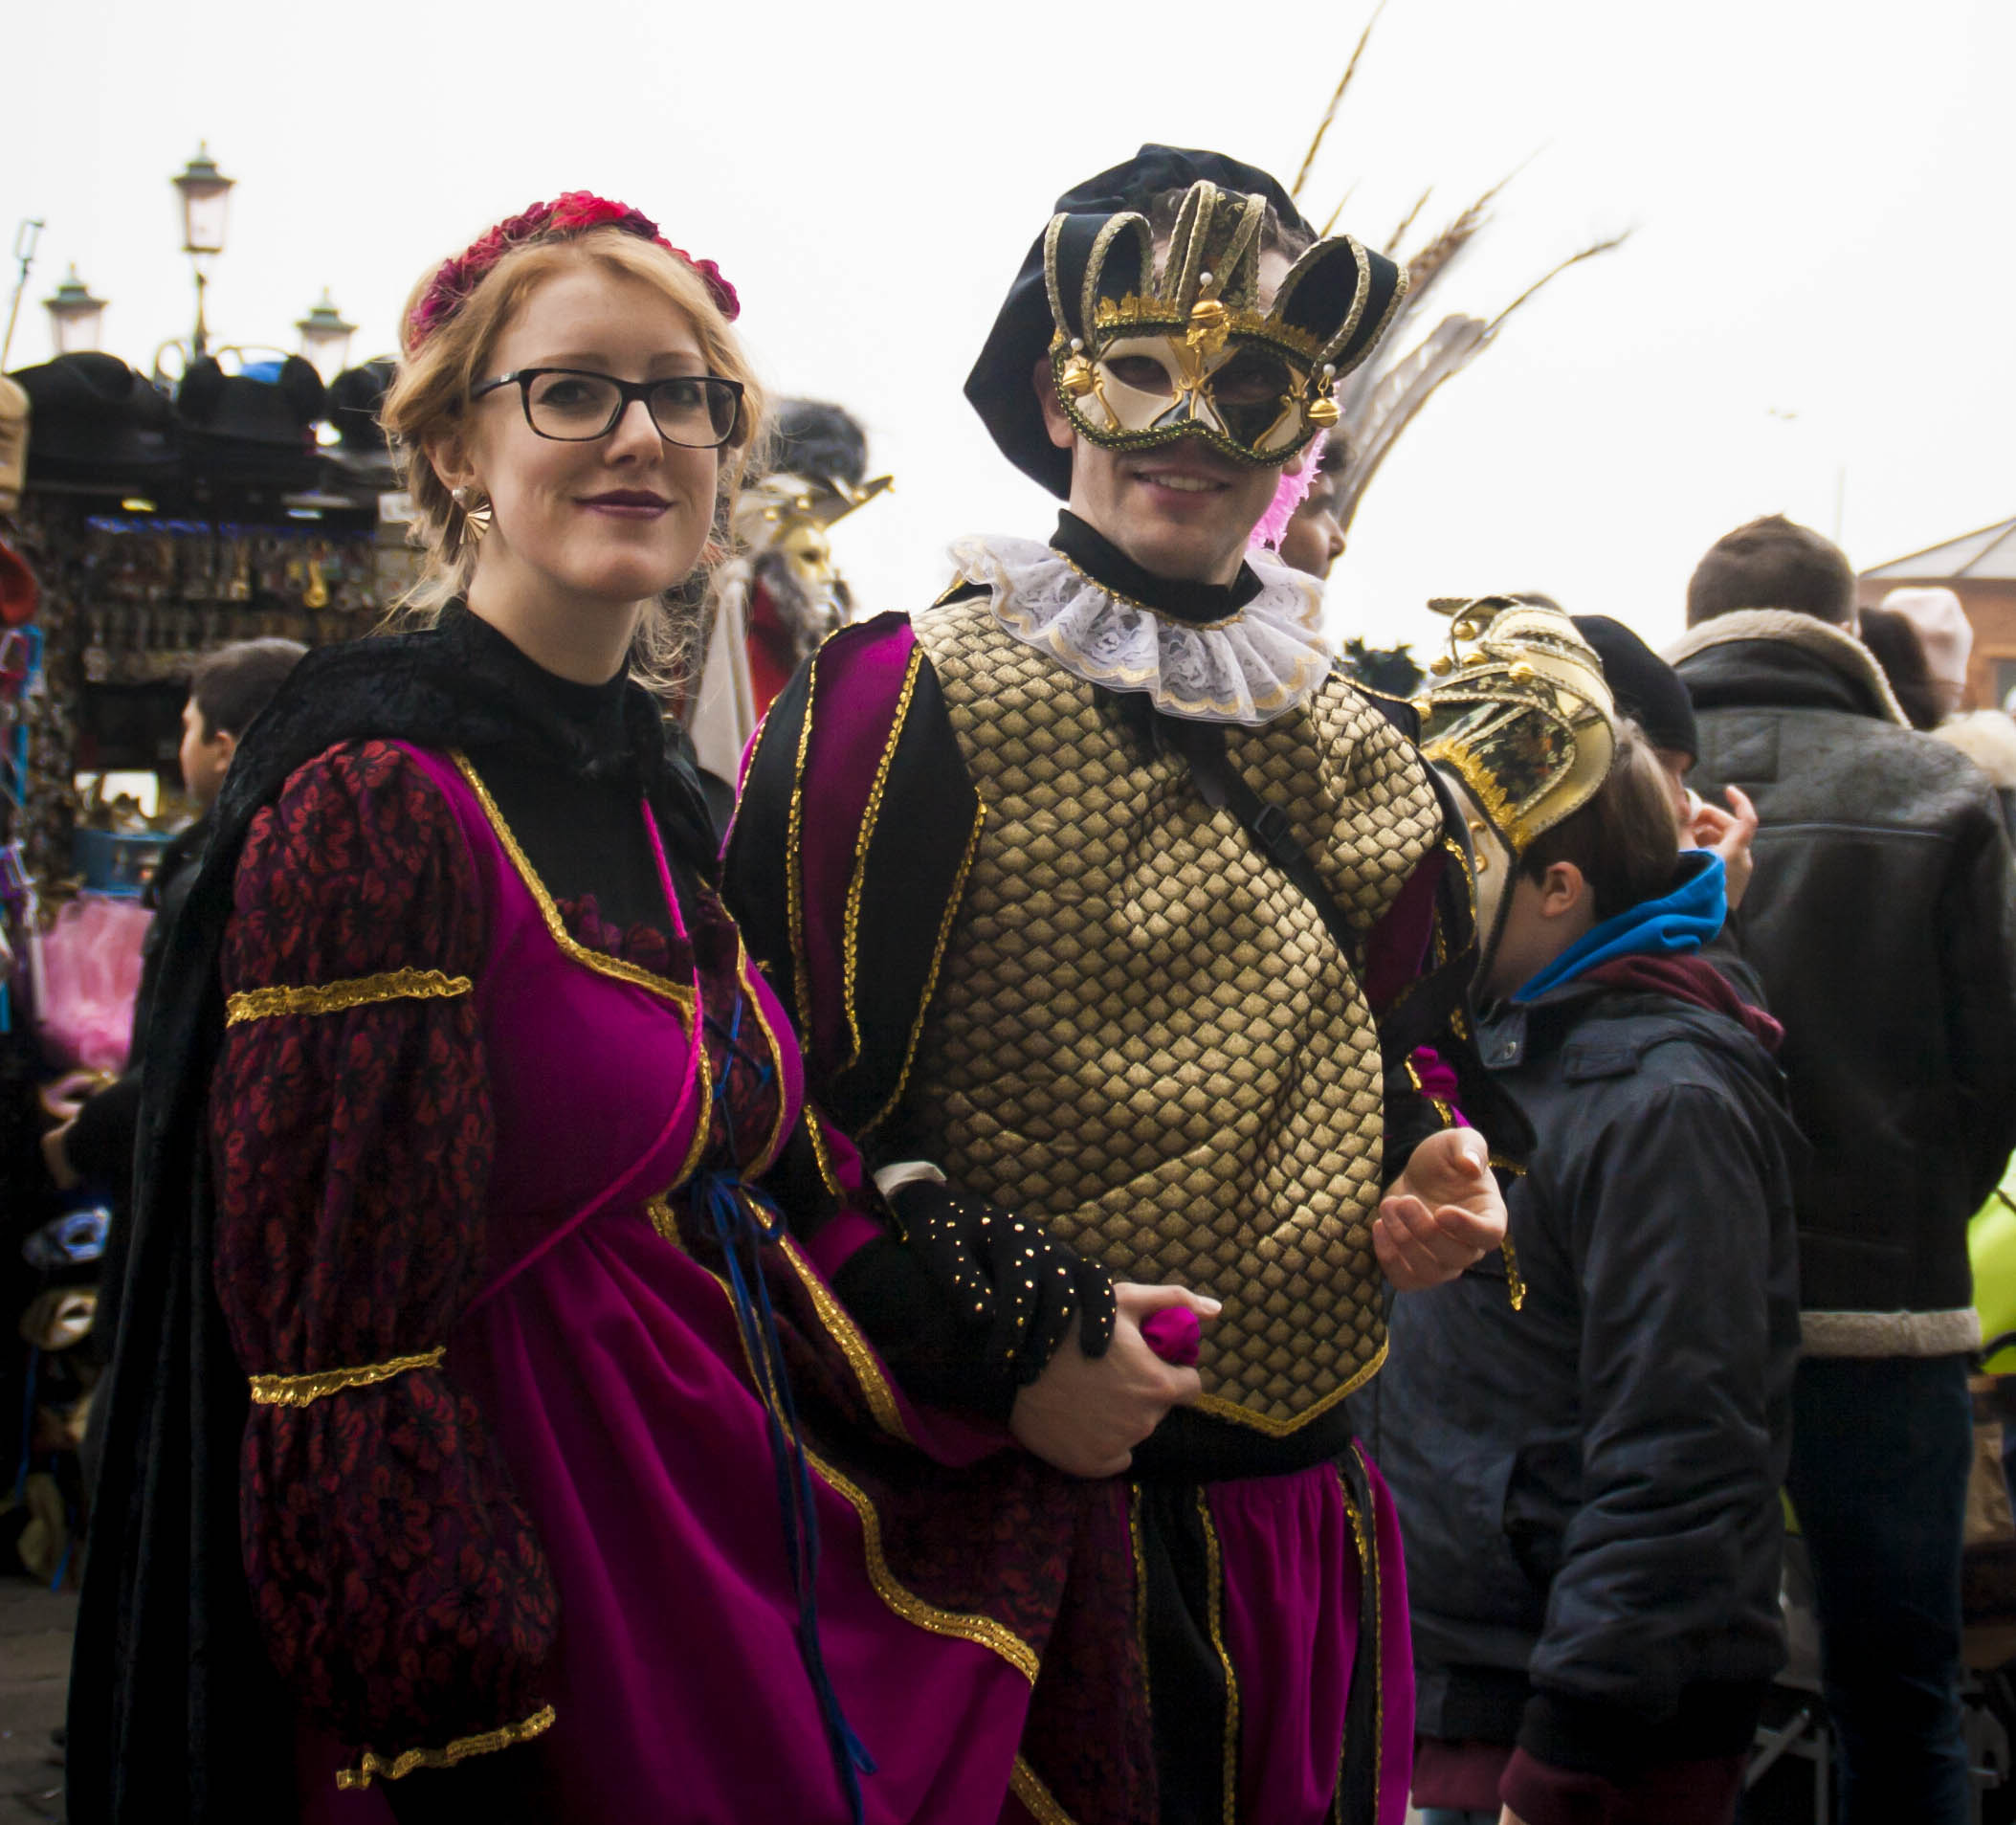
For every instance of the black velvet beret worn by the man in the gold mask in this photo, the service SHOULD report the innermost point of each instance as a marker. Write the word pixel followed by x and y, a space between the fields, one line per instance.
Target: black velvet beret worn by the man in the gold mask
pixel 1001 386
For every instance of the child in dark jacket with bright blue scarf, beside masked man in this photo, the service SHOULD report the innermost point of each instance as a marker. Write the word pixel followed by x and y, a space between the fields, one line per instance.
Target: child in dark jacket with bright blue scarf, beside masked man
pixel 1588 1465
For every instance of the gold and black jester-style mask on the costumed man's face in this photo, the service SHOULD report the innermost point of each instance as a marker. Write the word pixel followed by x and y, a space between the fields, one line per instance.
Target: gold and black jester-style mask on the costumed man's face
pixel 1255 384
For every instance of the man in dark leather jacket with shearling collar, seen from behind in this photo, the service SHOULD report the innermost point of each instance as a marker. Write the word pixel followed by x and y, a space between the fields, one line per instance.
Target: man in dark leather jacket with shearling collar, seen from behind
pixel 1882 921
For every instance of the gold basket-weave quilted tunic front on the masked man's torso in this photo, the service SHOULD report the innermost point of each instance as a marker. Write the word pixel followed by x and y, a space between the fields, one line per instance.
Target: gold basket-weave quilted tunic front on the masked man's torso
pixel 1146 1036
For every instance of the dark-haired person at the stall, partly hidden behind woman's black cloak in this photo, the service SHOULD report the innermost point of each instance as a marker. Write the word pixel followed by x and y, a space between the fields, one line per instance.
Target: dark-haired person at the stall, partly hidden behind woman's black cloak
pixel 96 1144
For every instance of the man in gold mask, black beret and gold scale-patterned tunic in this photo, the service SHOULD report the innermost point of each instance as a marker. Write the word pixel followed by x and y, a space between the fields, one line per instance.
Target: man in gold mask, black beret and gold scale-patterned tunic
pixel 1110 910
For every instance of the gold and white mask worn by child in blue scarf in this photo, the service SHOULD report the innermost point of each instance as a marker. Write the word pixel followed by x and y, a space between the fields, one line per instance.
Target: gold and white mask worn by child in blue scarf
pixel 1525 719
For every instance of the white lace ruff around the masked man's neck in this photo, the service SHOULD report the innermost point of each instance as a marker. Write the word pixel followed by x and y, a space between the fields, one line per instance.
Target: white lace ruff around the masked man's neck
pixel 1251 668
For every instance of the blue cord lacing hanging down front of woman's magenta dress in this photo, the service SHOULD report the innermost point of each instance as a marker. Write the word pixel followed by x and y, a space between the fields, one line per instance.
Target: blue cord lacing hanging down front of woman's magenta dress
pixel 743 1221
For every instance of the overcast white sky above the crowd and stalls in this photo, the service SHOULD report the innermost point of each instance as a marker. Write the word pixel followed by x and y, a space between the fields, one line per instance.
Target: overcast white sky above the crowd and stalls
pixel 1815 303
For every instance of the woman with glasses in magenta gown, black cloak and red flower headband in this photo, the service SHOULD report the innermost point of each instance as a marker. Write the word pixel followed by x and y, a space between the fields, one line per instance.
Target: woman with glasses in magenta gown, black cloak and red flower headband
pixel 483 1437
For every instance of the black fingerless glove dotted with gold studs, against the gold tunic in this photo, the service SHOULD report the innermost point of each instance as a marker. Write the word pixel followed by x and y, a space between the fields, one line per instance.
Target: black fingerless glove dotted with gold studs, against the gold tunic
pixel 1007 1273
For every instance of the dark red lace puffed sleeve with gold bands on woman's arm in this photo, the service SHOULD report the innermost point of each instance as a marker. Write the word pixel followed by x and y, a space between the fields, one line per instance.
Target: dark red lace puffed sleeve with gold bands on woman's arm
pixel 398 1582
